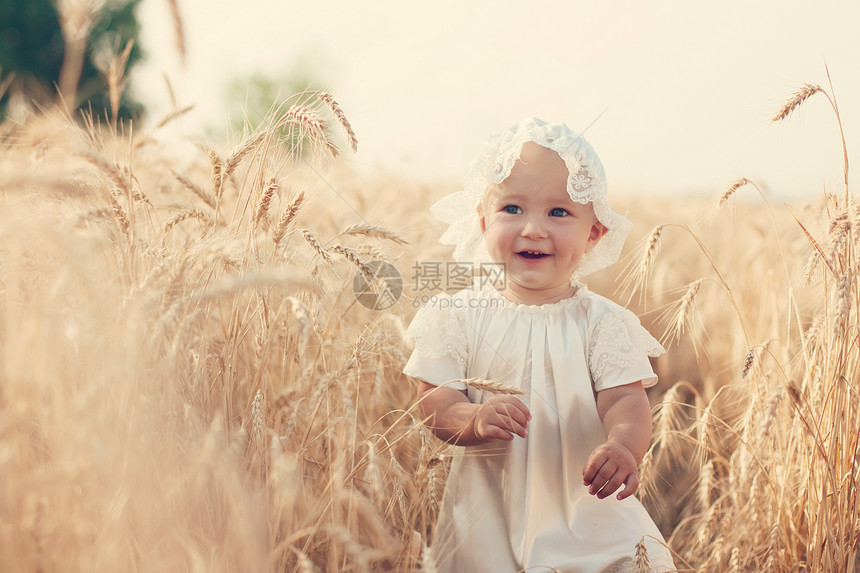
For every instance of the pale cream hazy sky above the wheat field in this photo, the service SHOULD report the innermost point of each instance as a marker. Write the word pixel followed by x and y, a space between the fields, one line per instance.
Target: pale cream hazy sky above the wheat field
pixel 675 97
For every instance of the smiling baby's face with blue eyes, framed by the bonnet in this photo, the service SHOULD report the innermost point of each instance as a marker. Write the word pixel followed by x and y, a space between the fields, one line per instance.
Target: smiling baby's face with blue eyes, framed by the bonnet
pixel 535 230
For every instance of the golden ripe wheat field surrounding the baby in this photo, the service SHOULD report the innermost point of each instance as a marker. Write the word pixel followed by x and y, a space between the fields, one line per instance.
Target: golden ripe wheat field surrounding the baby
pixel 189 383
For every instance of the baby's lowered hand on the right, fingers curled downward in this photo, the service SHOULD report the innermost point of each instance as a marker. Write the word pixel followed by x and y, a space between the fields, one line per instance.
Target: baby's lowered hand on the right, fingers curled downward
pixel 609 466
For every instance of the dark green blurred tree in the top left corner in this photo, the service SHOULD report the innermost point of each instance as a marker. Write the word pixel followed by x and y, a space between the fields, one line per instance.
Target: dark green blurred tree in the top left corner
pixel 33 50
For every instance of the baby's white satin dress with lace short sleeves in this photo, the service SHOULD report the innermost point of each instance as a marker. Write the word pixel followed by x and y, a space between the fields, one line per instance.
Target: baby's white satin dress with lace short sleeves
pixel 521 505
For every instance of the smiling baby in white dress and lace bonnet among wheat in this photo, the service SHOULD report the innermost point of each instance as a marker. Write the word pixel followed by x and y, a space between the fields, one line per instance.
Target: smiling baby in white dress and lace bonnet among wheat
pixel 533 485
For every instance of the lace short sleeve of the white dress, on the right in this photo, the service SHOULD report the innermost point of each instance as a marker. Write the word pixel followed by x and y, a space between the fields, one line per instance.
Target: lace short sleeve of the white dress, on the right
pixel 618 351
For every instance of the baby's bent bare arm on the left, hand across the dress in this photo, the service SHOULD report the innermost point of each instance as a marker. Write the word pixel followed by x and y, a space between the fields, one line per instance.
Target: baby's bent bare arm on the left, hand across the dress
pixel 454 419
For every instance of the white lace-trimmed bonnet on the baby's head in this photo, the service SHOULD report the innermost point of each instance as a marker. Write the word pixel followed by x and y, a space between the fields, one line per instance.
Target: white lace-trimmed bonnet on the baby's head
pixel 585 184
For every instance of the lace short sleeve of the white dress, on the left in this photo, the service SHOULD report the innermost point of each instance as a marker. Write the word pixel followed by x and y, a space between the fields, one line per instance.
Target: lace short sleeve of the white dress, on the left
pixel 441 351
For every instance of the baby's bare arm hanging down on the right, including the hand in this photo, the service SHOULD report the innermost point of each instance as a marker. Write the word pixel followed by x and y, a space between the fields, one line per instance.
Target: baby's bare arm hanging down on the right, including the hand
pixel 626 415
